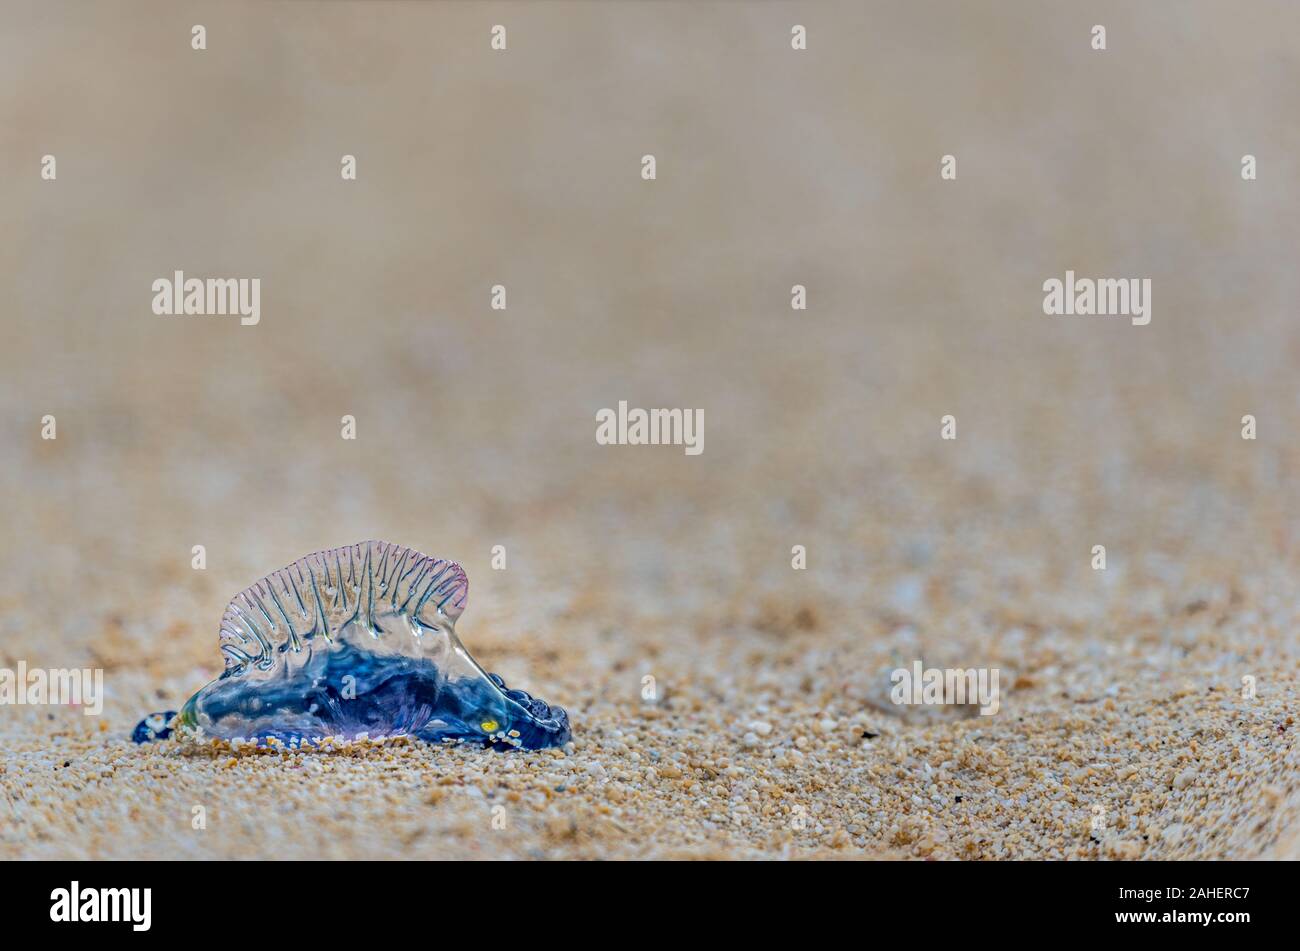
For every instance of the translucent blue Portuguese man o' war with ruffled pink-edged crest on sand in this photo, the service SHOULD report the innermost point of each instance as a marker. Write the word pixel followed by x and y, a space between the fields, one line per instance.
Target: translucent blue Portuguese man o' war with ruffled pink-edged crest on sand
pixel 358 642
